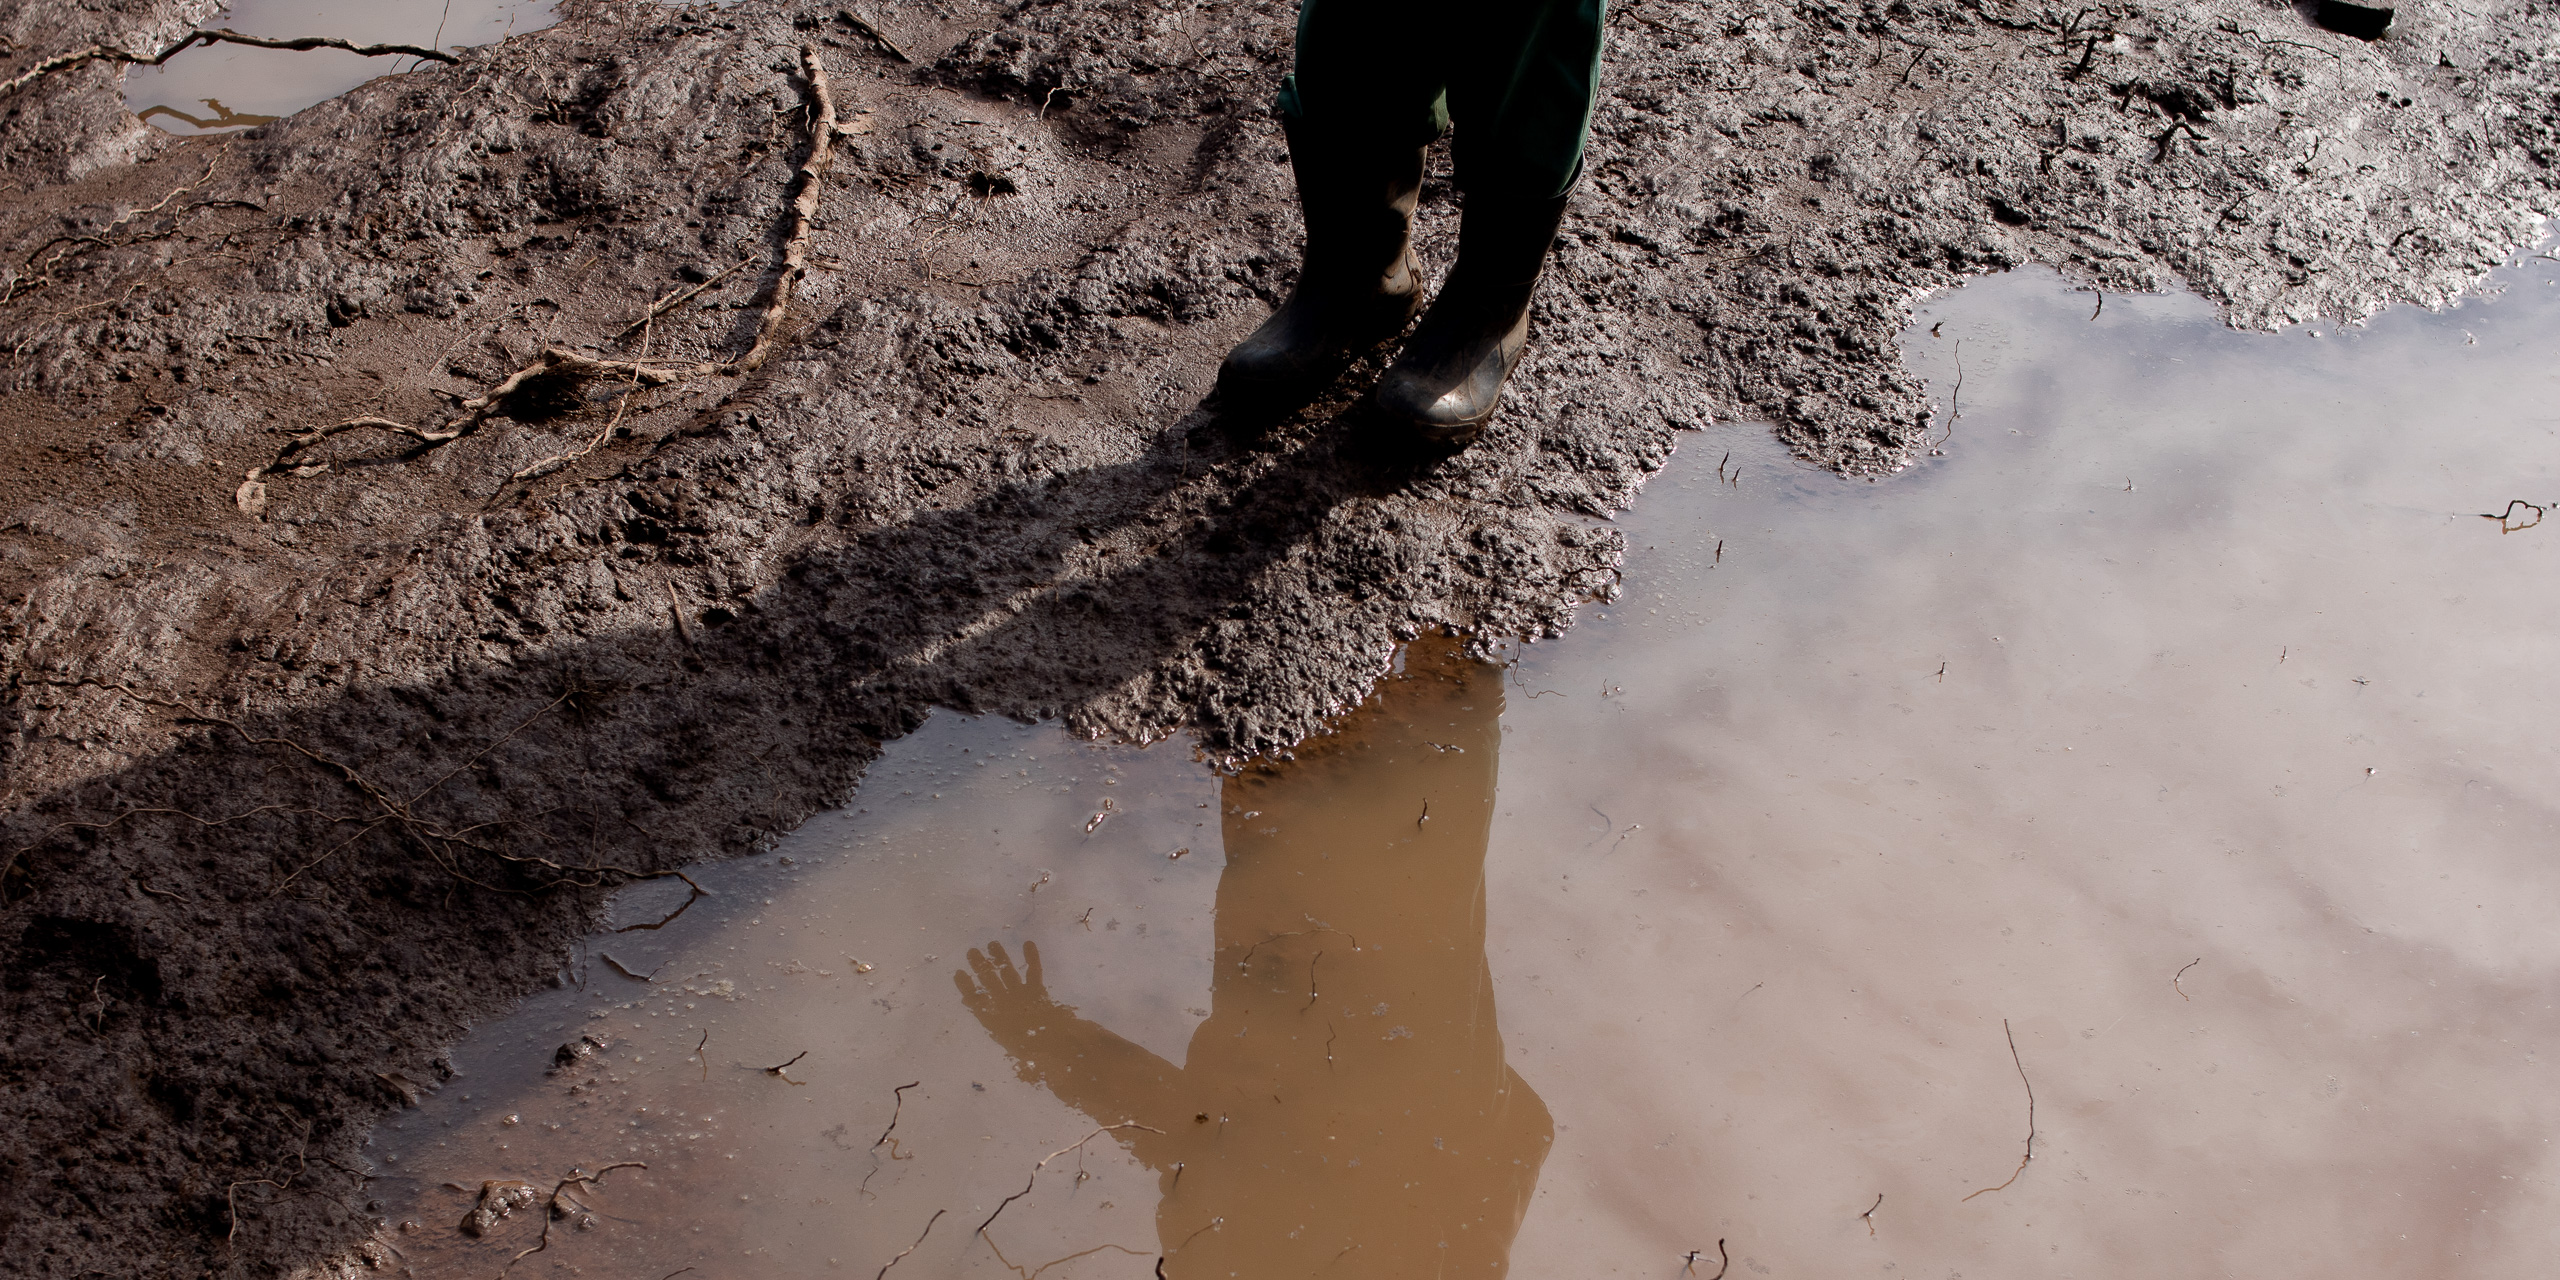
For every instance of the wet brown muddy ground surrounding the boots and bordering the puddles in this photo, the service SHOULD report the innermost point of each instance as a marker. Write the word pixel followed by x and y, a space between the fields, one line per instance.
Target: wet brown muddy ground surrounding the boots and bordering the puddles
pixel 293 795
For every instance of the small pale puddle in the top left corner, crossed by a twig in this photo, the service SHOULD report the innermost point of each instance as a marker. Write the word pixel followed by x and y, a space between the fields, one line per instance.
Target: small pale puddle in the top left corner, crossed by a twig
pixel 227 86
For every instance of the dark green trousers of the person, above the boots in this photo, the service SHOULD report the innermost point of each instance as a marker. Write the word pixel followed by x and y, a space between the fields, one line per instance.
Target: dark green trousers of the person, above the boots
pixel 1517 78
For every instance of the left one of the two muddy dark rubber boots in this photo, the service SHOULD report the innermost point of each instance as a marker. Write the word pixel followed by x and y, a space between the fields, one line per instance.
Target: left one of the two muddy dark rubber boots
pixel 1356 288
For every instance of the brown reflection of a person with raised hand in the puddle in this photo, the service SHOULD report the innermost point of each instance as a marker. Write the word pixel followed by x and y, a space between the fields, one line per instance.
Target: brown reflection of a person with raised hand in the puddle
pixel 1345 1110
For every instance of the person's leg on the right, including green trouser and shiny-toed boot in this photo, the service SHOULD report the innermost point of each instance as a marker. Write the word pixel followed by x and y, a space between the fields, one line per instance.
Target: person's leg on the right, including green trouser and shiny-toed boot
pixel 1522 96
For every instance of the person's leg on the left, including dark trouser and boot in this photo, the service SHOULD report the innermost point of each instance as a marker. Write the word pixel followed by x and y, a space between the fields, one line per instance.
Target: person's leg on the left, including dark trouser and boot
pixel 1361 109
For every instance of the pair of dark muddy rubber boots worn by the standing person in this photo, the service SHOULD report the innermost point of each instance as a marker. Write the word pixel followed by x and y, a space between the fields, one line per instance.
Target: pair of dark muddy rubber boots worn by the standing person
pixel 1361 285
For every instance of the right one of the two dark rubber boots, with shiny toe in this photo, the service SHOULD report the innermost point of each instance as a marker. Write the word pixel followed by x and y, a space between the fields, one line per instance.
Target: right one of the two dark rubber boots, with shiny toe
pixel 1453 370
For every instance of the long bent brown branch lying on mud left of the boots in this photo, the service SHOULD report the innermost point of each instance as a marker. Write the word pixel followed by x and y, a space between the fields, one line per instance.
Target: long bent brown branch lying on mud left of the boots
pixel 559 365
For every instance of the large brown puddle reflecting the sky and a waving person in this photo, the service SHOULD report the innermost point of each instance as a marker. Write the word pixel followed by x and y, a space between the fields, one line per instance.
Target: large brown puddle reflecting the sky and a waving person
pixel 2175 751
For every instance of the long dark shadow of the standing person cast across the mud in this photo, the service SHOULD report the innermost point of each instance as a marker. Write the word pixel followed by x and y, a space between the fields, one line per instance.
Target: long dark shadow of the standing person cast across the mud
pixel 227 959
